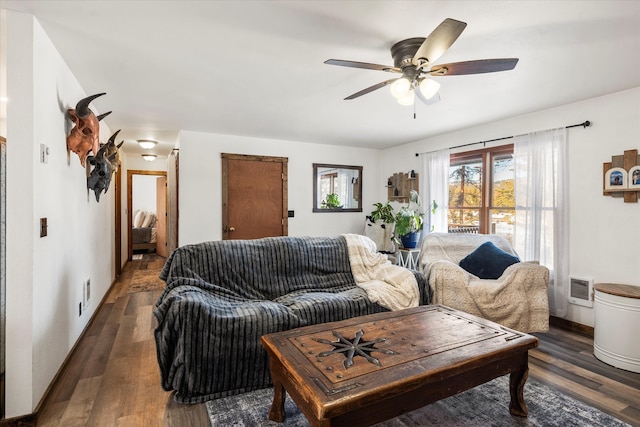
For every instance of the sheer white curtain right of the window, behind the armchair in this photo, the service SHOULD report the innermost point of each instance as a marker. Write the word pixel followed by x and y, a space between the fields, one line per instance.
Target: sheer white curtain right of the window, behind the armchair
pixel 542 210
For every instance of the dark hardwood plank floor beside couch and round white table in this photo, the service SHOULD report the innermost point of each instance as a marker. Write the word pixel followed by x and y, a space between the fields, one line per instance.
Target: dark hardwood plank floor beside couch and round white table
pixel 113 379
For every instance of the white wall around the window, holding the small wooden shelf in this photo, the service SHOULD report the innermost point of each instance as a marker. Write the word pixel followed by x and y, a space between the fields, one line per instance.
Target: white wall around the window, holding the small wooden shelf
pixel 605 232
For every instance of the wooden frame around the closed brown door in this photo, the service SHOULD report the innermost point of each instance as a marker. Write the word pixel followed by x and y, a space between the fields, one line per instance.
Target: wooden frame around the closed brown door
pixel 225 187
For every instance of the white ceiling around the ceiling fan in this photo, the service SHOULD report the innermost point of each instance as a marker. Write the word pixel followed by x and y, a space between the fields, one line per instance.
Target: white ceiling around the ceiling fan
pixel 255 68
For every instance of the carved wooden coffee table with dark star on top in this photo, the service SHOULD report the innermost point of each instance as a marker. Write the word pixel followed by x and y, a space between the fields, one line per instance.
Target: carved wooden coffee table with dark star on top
pixel 368 369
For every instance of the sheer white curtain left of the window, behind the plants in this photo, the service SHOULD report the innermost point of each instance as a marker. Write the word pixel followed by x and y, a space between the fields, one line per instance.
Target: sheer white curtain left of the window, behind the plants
pixel 434 180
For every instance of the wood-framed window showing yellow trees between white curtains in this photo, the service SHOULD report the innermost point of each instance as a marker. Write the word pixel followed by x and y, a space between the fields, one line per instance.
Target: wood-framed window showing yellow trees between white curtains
pixel 481 198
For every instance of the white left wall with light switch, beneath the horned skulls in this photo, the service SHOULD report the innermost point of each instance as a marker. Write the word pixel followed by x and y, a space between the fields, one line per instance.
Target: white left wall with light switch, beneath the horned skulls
pixel 45 276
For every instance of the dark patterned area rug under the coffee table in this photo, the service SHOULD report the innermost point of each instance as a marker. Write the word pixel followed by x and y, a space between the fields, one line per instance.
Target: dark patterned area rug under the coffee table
pixel 485 405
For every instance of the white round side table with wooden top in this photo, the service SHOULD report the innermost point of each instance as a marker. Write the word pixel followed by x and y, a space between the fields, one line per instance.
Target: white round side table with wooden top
pixel 617 316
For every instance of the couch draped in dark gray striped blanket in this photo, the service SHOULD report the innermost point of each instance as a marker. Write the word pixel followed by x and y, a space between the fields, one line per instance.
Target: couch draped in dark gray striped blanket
pixel 222 296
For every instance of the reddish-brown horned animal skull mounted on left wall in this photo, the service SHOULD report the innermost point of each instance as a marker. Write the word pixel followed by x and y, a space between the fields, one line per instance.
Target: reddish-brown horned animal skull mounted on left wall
pixel 84 136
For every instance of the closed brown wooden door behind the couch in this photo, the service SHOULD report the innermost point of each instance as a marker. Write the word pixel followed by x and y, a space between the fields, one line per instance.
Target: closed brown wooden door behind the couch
pixel 254 196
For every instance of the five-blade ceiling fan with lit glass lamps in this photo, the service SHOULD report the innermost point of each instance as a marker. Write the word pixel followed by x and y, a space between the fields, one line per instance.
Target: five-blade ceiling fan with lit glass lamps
pixel 414 59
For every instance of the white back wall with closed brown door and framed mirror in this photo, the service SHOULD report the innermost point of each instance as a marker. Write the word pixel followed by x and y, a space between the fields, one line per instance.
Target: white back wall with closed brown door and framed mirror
pixel 200 188
